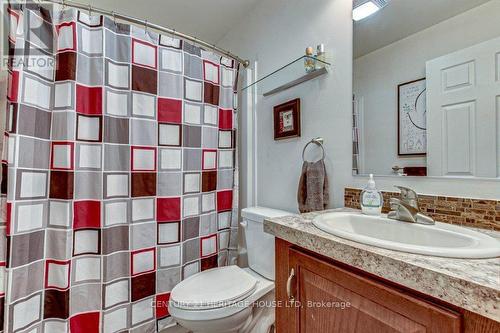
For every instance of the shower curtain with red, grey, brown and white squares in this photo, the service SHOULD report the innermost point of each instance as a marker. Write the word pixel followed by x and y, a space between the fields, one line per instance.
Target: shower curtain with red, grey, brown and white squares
pixel 119 175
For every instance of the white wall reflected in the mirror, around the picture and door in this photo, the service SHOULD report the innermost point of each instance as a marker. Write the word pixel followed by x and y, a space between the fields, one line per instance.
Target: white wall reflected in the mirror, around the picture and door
pixel 377 74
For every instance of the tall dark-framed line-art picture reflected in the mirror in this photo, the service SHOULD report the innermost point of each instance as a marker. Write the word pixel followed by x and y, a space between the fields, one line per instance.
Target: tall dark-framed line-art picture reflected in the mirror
pixel 412 114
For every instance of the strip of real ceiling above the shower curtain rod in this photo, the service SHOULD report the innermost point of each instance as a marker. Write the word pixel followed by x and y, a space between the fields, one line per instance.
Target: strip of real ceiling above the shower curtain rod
pixel 208 20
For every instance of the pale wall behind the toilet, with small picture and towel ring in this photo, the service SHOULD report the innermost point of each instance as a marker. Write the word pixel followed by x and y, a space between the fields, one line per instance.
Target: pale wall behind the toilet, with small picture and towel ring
pixel 275 33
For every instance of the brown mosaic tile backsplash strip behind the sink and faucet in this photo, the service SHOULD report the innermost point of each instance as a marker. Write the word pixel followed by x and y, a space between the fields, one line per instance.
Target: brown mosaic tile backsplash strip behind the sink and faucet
pixel 468 212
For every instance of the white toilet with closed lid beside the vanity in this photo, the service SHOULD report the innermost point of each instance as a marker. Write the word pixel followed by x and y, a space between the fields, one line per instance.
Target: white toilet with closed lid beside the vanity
pixel 223 299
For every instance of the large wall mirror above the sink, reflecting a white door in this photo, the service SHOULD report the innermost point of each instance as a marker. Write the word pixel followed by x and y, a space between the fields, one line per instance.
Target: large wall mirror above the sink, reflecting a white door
pixel 426 88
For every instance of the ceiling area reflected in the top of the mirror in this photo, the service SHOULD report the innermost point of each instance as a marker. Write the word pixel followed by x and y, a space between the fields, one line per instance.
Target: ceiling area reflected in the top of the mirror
pixel 402 18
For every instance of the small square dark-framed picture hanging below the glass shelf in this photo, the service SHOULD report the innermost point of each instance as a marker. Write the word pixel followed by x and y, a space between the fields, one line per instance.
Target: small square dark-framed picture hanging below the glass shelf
pixel 287 120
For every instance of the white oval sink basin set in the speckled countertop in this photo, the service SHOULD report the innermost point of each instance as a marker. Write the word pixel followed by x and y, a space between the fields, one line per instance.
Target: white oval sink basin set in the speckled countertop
pixel 441 239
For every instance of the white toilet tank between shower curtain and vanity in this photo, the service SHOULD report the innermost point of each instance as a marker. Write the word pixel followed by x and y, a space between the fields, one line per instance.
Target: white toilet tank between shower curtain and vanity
pixel 260 245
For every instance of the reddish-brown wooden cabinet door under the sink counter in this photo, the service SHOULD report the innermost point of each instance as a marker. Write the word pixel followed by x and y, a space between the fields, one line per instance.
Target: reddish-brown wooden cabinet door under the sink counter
pixel 335 300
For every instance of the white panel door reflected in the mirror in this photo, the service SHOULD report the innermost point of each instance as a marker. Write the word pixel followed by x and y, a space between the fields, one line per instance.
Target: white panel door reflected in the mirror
pixel 463 112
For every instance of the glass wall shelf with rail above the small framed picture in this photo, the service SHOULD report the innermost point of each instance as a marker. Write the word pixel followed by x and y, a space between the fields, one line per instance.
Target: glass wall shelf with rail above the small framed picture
pixel 290 75
